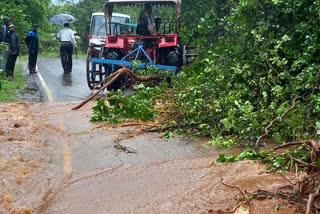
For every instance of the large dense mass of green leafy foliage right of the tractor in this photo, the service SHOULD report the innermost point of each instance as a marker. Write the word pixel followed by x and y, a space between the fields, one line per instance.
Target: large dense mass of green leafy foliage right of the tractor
pixel 257 57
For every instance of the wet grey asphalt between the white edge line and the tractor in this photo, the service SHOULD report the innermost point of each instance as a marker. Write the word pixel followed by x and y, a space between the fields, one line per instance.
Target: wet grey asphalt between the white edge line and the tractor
pixel 64 87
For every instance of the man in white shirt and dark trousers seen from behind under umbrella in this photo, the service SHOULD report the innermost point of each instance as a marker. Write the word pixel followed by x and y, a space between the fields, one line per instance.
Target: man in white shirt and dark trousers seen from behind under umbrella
pixel 66 36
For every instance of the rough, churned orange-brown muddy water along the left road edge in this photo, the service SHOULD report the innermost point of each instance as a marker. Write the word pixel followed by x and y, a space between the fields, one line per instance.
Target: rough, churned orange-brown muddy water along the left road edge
pixel 25 170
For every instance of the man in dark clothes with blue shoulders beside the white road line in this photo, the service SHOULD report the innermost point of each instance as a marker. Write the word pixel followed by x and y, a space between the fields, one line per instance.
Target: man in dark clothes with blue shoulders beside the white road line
pixel 32 42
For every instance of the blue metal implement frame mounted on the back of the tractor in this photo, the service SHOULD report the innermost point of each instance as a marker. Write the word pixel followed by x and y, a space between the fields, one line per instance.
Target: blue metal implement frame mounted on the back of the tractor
pixel 123 61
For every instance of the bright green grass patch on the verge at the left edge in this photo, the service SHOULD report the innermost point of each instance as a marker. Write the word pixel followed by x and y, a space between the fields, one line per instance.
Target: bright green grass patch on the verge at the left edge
pixel 9 89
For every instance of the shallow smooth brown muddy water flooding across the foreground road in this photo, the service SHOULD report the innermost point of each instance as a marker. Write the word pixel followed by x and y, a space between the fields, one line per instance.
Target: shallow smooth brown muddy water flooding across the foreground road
pixel 86 172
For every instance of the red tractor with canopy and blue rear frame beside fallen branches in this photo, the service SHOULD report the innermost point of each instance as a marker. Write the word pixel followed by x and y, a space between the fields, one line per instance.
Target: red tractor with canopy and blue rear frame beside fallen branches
pixel 123 43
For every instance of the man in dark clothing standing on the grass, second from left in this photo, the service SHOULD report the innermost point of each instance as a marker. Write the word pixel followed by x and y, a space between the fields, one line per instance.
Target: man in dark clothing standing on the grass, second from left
pixel 14 51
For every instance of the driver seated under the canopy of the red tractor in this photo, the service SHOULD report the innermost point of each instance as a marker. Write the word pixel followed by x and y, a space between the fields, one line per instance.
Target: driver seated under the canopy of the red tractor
pixel 145 24
